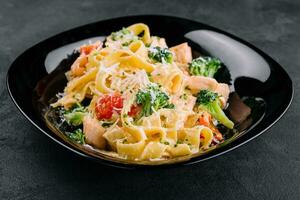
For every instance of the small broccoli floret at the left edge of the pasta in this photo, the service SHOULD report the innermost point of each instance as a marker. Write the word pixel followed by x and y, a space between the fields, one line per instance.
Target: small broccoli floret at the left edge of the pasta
pixel 75 116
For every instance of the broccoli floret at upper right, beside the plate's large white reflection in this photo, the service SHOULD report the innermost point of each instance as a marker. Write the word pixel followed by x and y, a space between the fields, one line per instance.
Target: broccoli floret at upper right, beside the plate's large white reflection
pixel 204 66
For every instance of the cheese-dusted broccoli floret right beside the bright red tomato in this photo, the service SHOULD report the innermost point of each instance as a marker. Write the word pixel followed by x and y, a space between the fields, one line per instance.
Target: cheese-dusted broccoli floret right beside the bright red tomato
pixel 152 99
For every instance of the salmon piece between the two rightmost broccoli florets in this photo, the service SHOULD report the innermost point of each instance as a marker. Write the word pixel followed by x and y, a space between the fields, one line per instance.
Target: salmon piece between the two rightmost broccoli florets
pixel 197 83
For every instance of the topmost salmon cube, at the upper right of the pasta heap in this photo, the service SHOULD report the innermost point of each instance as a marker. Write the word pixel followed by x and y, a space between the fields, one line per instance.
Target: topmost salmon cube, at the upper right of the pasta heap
pixel 183 53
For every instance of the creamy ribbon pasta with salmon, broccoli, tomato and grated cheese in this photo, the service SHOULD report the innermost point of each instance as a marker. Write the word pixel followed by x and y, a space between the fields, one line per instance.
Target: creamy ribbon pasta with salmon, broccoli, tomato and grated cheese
pixel 136 98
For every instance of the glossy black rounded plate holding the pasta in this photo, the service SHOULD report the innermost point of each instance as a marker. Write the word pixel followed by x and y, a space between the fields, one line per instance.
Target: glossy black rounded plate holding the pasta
pixel 253 73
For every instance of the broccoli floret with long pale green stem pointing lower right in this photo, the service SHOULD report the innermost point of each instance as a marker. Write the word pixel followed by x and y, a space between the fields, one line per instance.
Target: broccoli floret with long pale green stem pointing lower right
pixel 210 102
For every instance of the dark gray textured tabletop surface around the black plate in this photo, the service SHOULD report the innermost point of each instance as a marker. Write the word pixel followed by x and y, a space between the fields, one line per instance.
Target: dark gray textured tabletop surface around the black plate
pixel 34 167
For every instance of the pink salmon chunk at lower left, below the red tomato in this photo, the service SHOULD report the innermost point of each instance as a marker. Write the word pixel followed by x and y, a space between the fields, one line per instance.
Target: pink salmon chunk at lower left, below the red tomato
pixel 93 132
